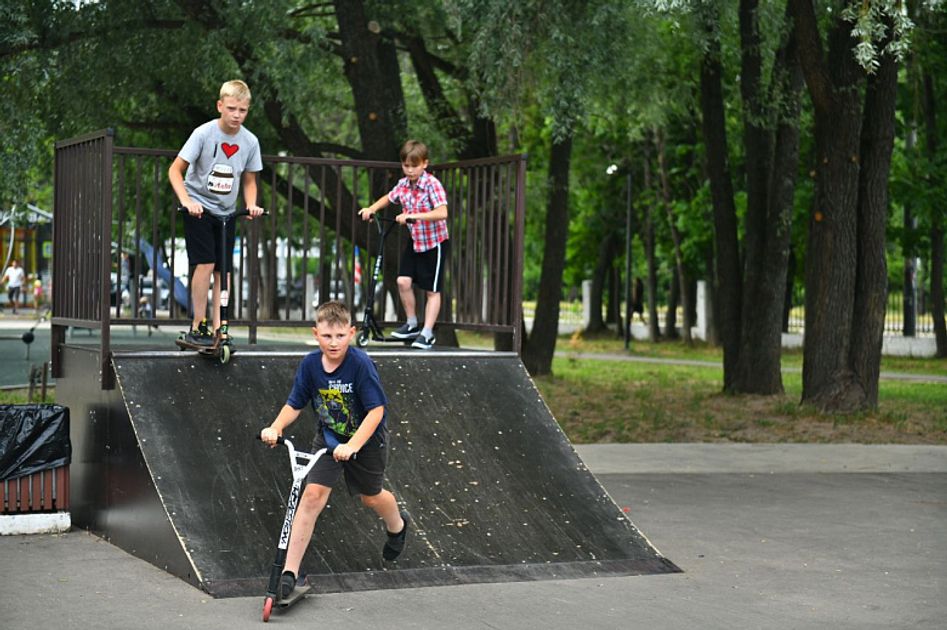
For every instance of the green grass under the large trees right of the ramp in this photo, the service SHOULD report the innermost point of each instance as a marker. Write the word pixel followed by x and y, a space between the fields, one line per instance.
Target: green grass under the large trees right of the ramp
pixel 597 400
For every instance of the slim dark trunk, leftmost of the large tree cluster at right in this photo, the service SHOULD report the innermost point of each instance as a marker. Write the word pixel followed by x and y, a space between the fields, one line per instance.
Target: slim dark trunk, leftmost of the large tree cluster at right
pixel 728 279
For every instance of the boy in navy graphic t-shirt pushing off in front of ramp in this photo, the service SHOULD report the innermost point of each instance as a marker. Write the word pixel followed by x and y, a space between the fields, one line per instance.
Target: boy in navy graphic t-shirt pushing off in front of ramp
pixel 346 394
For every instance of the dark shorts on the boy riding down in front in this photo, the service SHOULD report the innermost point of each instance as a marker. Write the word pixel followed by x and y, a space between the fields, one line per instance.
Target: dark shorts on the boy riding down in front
pixel 364 474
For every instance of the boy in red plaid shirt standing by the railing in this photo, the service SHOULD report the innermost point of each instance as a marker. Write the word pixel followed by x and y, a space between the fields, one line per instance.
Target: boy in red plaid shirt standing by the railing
pixel 424 261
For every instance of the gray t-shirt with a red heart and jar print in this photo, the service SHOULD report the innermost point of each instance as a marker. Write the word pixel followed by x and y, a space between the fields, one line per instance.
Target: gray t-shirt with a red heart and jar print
pixel 216 162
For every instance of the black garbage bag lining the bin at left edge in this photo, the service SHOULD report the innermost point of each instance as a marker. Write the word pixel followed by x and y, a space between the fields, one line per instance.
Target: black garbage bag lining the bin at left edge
pixel 33 438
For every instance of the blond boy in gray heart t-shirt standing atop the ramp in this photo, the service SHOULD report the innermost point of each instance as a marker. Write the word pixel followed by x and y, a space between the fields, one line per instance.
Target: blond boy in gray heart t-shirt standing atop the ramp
pixel 207 174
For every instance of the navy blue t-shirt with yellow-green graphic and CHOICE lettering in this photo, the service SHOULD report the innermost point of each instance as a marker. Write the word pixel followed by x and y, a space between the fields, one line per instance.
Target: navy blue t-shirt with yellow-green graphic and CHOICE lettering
pixel 341 399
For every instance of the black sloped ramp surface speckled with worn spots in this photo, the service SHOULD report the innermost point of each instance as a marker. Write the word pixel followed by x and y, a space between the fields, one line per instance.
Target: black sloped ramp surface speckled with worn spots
pixel 495 489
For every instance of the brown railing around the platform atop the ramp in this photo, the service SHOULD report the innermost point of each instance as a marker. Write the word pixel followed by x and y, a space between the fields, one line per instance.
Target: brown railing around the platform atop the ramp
pixel 115 201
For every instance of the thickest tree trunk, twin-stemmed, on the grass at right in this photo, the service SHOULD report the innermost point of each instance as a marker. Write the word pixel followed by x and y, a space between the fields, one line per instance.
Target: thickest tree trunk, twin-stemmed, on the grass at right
pixel 836 357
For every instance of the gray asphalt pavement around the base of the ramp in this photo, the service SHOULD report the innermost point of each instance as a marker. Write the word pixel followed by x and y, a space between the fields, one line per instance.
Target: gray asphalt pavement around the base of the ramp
pixel 768 536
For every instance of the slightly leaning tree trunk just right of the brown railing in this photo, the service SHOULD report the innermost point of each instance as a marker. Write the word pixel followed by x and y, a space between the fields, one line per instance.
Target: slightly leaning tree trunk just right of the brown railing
pixel 539 348
